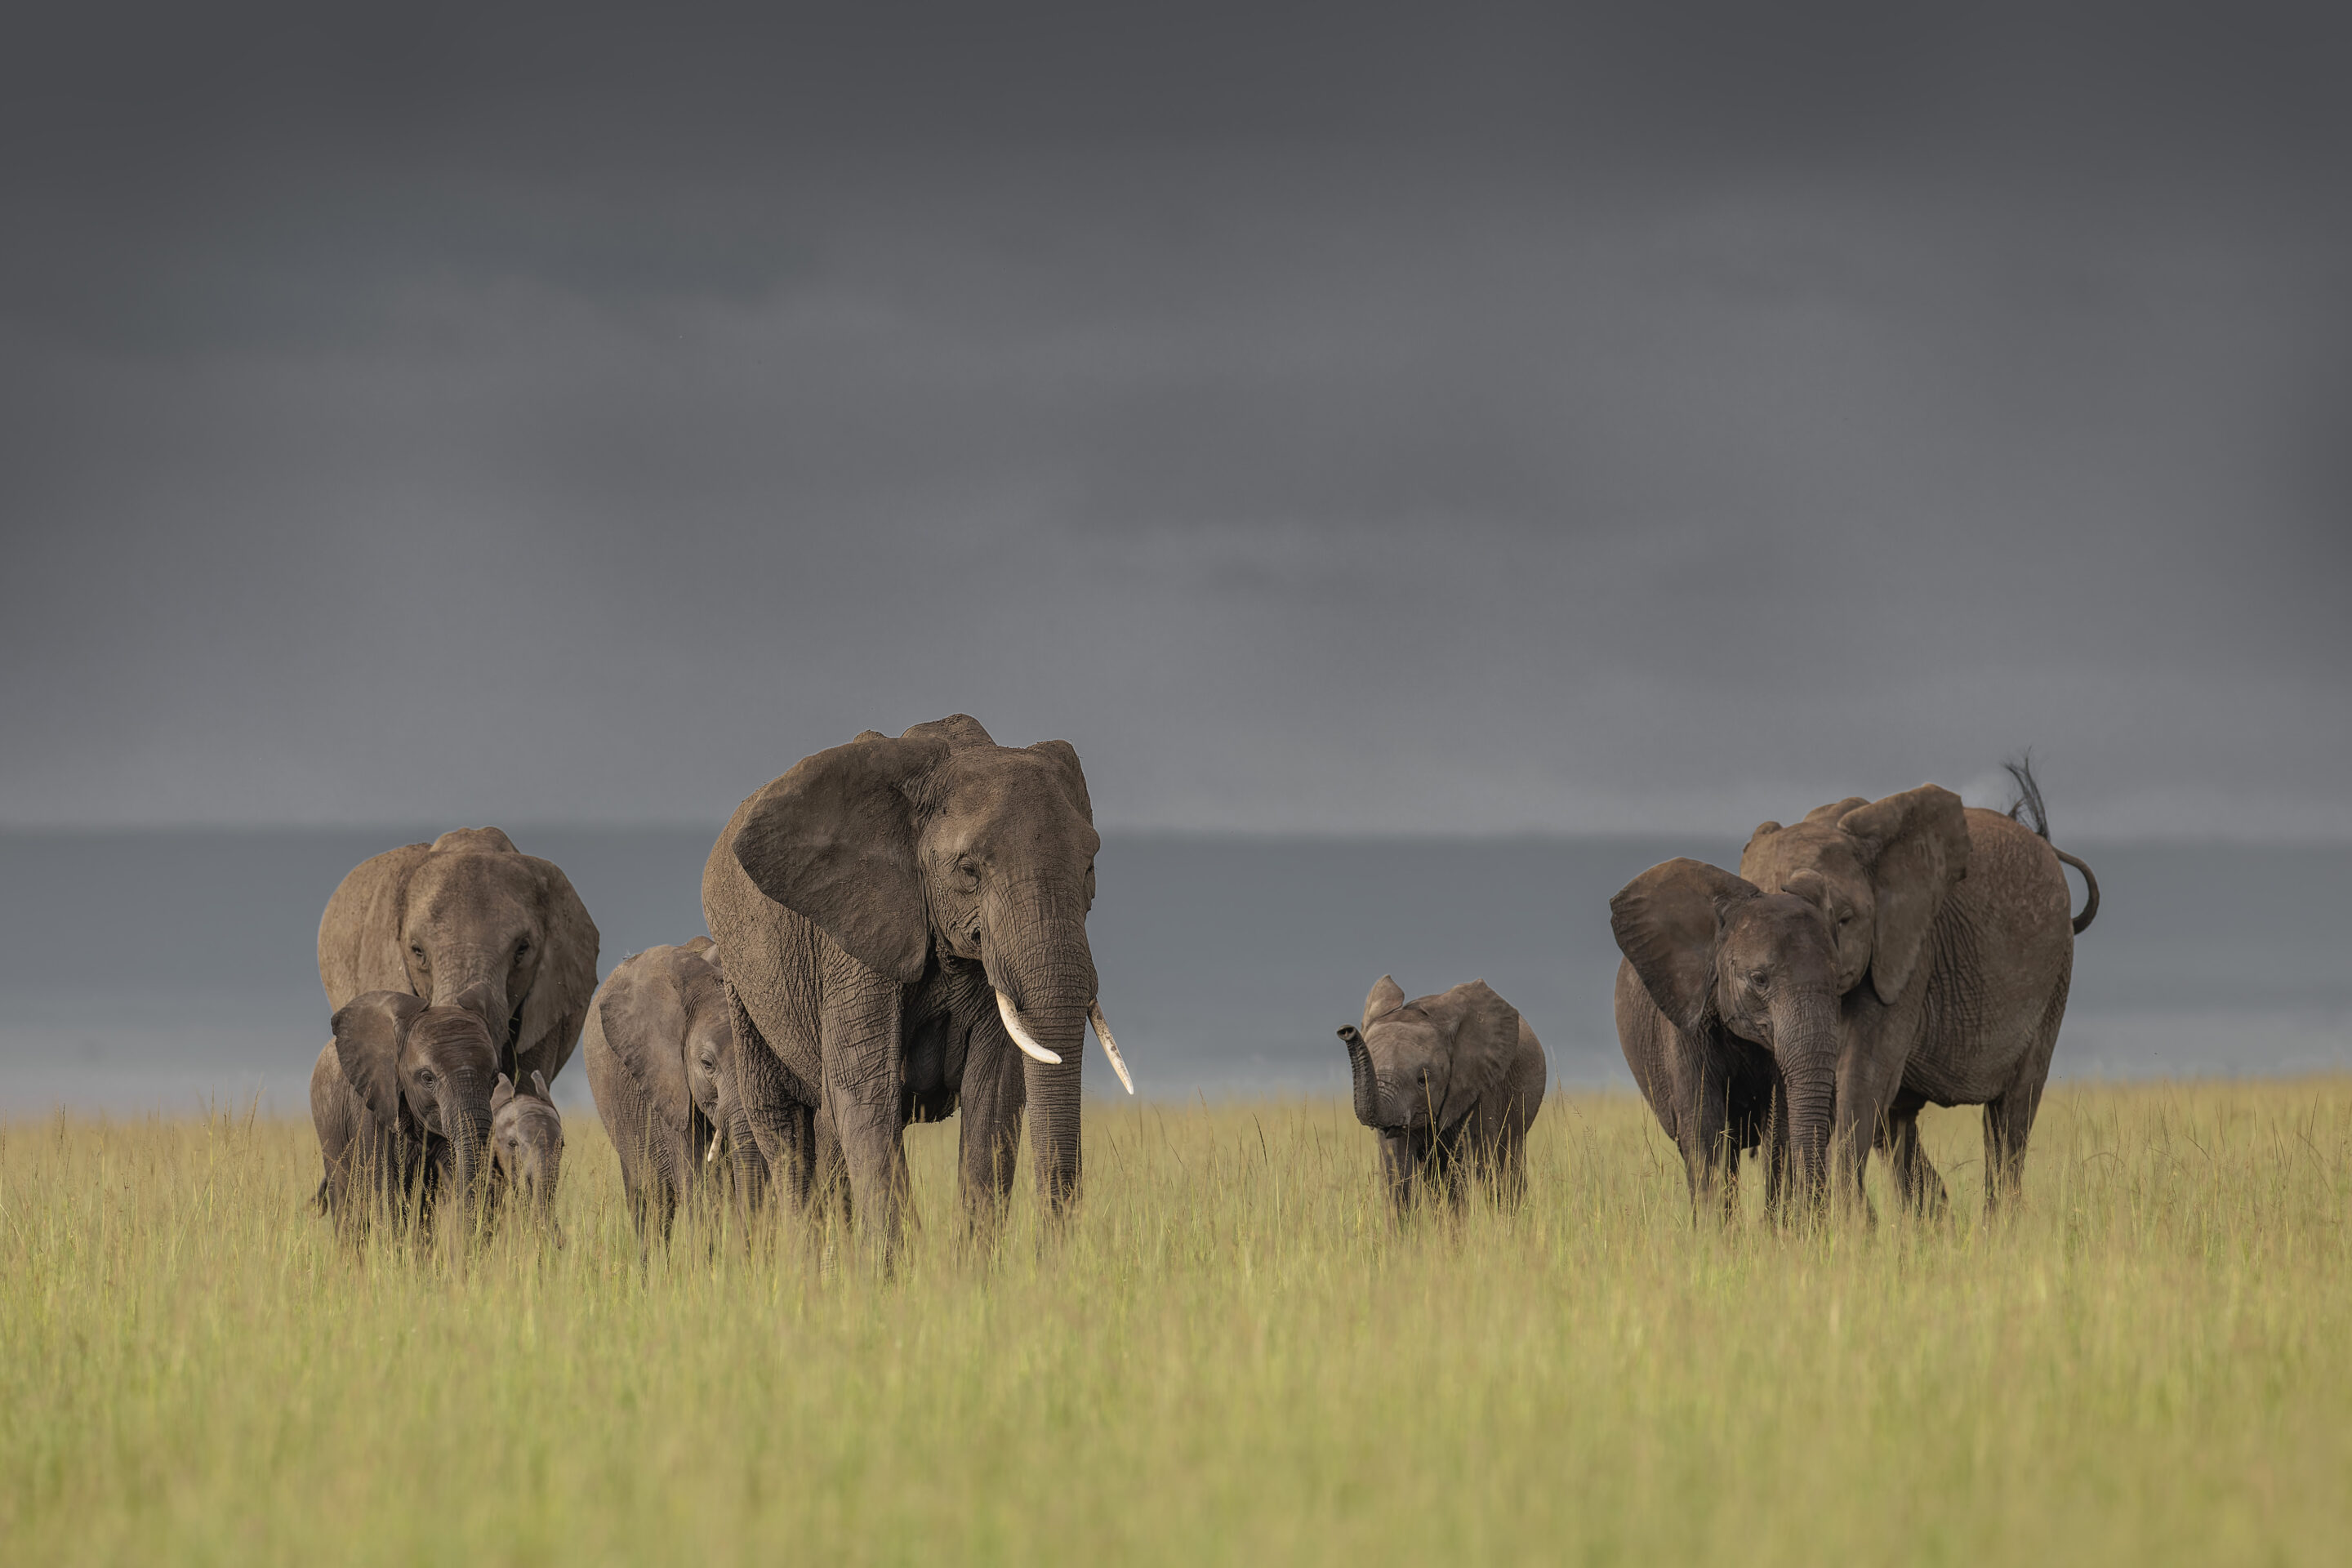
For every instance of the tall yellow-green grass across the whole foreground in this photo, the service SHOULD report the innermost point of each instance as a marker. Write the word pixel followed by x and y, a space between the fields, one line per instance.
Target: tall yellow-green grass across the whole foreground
pixel 1229 1358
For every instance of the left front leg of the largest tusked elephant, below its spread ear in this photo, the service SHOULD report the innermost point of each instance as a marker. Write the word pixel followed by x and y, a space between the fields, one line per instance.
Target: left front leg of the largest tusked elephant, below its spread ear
pixel 862 1094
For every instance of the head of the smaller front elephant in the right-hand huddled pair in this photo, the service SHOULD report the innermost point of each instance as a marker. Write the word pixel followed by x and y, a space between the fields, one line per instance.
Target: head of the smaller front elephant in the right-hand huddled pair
pixel 1716 951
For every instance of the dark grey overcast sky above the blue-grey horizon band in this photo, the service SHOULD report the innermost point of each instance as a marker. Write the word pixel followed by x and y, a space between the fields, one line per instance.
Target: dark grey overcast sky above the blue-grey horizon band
pixel 1514 420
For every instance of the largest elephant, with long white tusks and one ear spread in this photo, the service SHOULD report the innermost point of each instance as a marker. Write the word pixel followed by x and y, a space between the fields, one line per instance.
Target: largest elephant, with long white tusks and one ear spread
pixel 907 937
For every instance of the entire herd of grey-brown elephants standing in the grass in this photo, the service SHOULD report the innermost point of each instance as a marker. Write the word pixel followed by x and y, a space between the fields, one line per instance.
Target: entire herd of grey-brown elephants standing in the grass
pixel 900 934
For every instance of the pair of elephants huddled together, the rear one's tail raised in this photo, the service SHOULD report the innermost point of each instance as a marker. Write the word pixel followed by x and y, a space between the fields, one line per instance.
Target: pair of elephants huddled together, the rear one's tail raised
pixel 1887 956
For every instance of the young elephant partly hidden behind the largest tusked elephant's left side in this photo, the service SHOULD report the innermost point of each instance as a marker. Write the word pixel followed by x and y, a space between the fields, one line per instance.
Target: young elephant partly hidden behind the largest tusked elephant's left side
pixel 660 1064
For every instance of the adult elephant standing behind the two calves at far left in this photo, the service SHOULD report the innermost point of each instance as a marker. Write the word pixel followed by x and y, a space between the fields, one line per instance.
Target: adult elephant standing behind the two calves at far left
pixel 469 911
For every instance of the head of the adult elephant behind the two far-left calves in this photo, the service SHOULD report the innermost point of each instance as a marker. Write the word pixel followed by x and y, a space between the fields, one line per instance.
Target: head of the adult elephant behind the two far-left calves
pixel 476 913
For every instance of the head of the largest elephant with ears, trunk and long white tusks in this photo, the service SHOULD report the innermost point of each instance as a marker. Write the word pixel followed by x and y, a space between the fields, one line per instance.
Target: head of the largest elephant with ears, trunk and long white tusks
pixel 949 847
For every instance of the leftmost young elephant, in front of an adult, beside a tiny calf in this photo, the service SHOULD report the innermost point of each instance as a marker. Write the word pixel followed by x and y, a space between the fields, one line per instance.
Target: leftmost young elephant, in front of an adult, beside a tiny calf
pixel 403 1104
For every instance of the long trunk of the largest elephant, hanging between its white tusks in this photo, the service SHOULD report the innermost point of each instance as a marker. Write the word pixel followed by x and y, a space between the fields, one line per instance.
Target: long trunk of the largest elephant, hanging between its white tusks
pixel 1045 986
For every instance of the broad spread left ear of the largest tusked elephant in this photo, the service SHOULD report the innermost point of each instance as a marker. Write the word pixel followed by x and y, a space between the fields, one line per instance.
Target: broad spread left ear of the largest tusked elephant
pixel 834 840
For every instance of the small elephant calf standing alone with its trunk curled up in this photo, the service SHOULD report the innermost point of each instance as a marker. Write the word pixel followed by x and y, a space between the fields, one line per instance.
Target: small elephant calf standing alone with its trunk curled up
pixel 1450 1085
